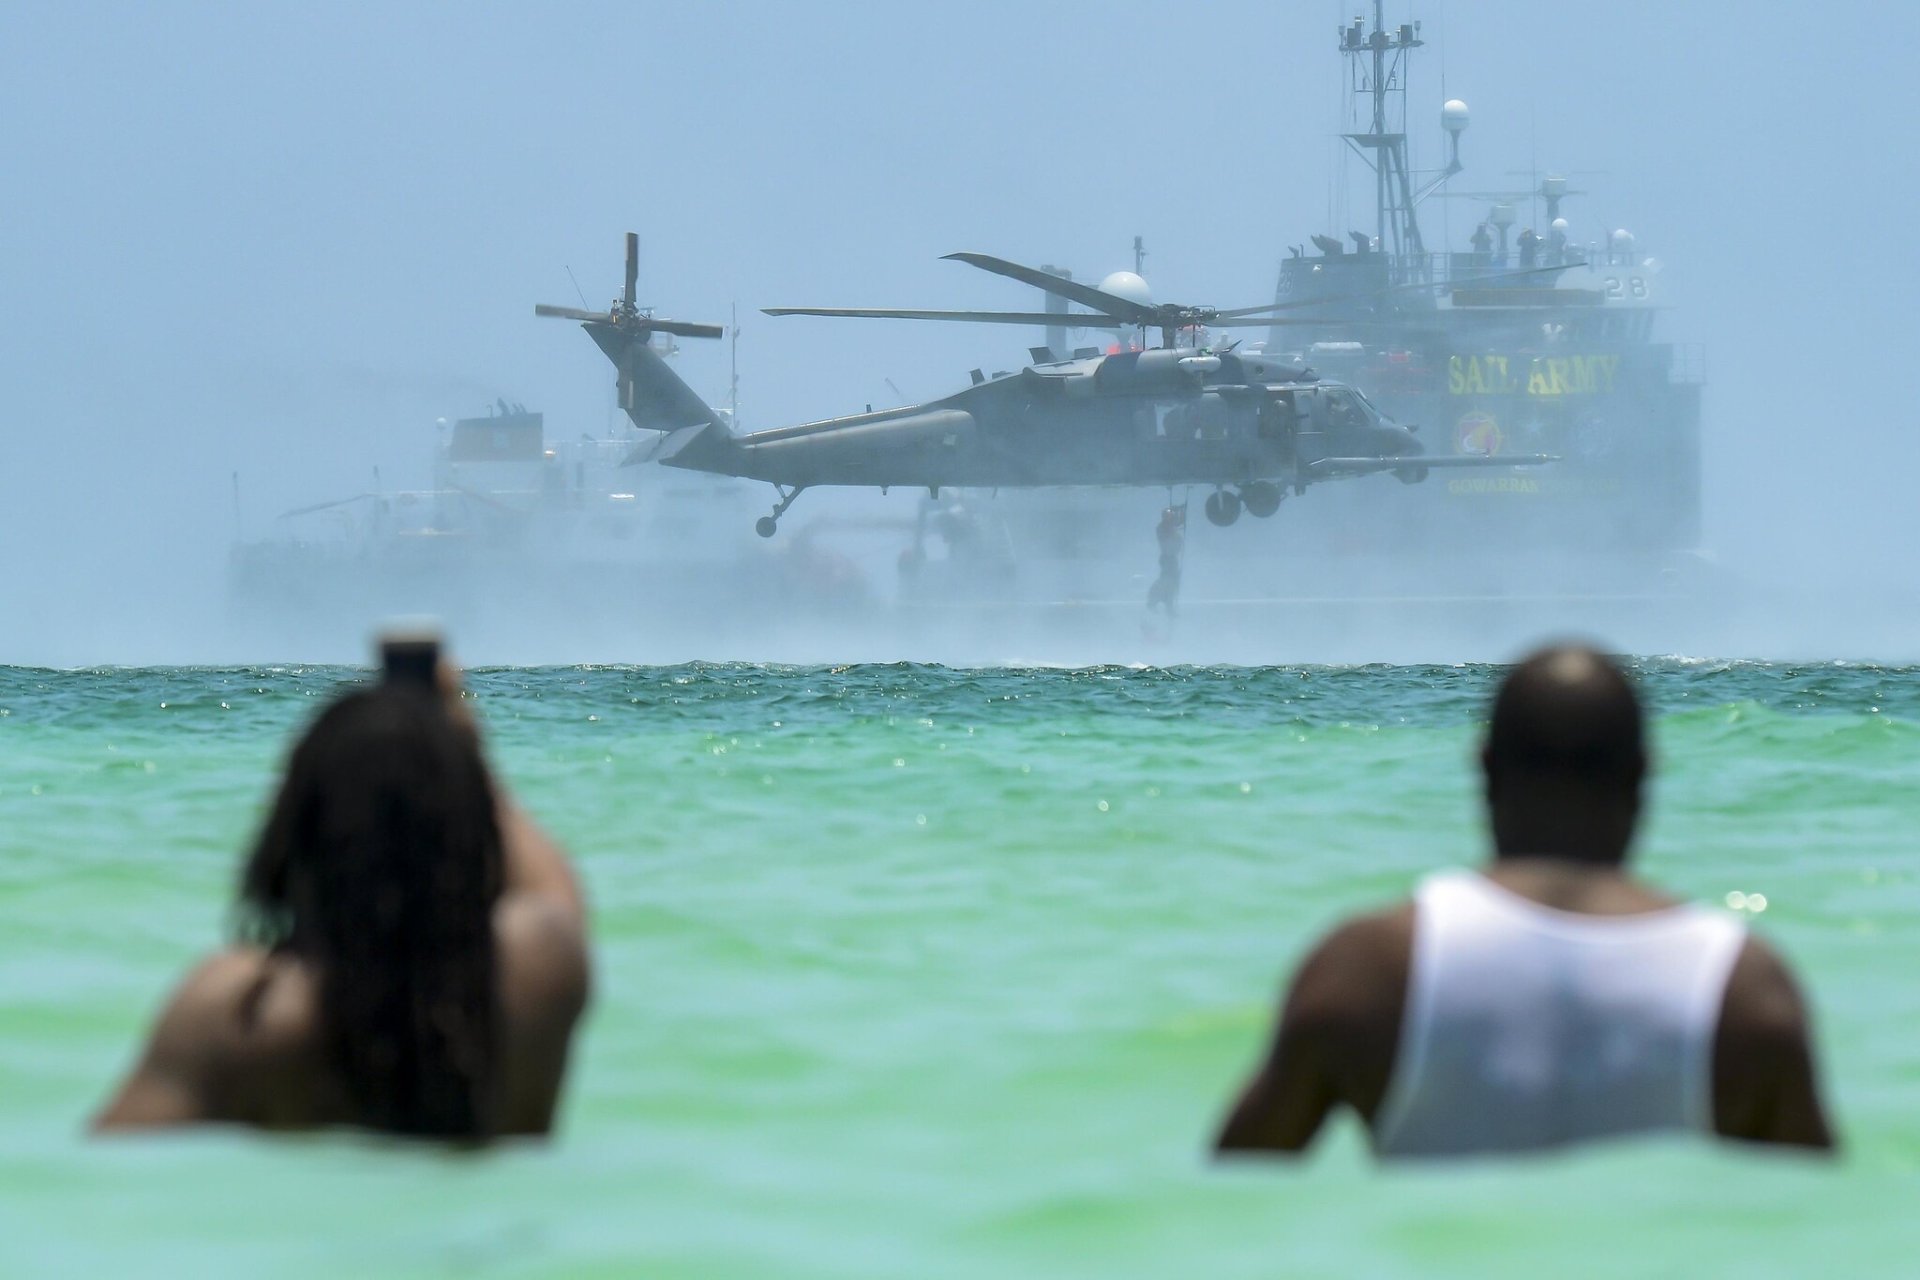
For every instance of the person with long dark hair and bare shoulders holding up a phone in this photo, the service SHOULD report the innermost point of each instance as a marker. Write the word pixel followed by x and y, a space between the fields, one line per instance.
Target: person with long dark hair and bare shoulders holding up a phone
pixel 410 951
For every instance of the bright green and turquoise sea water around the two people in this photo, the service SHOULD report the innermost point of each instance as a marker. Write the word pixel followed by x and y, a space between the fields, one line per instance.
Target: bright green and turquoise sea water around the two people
pixel 921 972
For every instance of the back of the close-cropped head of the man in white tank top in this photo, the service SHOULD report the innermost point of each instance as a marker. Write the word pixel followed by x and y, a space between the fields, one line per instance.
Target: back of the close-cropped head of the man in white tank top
pixel 1568 740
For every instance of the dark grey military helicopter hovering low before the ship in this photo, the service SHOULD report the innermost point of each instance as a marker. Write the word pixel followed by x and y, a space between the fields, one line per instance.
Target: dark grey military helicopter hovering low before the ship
pixel 1243 425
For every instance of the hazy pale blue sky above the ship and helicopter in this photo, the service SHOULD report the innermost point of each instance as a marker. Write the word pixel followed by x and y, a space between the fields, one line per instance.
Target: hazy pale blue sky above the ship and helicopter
pixel 283 241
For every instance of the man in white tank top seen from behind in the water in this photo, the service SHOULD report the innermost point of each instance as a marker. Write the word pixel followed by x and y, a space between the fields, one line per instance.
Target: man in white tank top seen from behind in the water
pixel 1547 999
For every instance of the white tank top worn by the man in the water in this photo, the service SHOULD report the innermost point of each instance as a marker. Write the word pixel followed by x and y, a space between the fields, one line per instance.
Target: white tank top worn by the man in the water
pixel 1529 1028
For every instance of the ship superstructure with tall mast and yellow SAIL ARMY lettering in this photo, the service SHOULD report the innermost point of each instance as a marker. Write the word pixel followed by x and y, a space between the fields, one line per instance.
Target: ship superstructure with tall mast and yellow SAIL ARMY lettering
pixel 1527 339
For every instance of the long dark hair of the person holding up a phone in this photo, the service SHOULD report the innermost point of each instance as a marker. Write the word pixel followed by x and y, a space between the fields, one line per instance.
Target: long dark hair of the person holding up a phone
pixel 379 866
